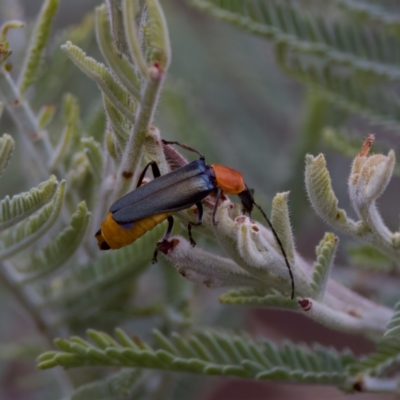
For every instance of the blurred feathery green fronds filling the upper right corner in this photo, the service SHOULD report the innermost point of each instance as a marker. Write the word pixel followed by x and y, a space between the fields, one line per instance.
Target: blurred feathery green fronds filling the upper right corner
pixel 347 62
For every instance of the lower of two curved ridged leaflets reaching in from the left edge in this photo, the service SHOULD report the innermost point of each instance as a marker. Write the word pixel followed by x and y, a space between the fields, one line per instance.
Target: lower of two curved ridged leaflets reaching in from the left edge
pixel 27 232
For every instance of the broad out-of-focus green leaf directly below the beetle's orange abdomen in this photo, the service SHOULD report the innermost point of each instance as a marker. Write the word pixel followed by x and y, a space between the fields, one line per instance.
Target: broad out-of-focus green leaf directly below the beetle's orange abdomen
pixel 86 288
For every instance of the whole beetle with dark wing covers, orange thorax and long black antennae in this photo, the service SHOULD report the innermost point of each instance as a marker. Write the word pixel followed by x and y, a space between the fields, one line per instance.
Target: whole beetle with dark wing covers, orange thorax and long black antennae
pixel 148 205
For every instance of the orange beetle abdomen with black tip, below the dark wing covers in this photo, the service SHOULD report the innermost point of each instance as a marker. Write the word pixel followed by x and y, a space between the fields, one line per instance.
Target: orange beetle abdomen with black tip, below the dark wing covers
pixel 117 236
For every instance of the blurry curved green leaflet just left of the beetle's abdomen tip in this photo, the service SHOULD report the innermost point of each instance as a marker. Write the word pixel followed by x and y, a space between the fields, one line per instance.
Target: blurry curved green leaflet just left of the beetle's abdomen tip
pixel 59 250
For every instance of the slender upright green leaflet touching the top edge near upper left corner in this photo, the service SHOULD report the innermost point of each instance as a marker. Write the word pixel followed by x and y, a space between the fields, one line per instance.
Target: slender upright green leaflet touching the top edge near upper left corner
pixel 38 43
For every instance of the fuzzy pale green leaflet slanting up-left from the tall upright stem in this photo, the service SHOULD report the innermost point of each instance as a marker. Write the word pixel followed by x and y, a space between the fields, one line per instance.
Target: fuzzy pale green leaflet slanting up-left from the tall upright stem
pixel 107 83
